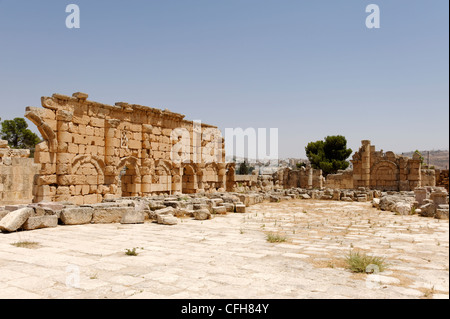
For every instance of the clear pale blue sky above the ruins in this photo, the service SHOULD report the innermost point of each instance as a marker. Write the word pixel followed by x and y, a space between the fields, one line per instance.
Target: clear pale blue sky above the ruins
pixel 309 68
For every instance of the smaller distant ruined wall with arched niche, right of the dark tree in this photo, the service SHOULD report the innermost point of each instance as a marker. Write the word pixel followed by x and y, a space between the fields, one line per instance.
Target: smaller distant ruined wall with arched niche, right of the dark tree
pixel 382 171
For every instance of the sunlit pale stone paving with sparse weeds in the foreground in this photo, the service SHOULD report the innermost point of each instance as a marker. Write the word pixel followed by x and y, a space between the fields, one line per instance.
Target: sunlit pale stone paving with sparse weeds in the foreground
pixel 230 257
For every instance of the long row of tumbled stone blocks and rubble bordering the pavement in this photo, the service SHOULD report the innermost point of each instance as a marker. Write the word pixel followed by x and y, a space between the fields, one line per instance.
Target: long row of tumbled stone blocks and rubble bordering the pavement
pixel 168 209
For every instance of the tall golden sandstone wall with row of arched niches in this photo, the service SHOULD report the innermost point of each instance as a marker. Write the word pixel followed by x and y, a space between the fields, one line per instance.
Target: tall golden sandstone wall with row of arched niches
pixel 92 151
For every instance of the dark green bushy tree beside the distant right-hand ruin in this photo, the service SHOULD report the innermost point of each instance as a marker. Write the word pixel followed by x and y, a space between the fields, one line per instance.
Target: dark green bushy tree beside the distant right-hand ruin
pixel 329 155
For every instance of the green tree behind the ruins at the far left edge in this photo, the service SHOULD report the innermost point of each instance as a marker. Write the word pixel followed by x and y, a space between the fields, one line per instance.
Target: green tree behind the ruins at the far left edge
pixel 17 134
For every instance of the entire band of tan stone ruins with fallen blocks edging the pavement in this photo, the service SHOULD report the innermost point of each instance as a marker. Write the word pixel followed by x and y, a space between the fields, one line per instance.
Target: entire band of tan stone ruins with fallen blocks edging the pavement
pixel 127 163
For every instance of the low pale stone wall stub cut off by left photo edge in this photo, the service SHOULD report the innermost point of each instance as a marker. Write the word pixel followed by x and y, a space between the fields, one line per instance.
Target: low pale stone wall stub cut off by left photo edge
pixel 17 173
